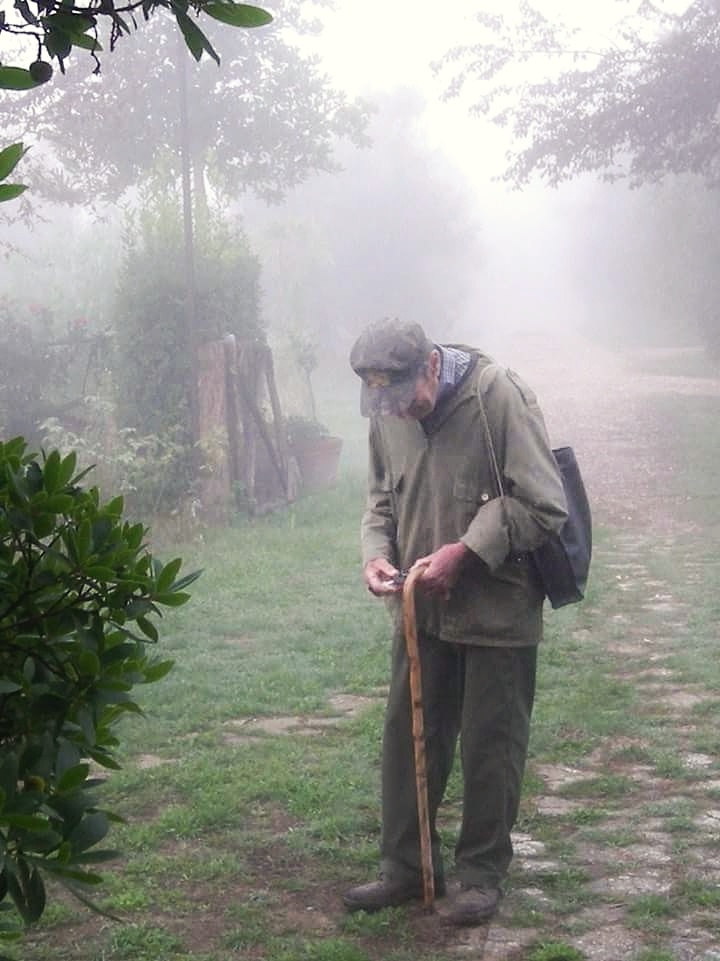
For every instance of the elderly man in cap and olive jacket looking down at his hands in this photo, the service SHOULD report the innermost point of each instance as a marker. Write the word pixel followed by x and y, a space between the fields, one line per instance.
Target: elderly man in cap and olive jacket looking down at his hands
pixel 433 499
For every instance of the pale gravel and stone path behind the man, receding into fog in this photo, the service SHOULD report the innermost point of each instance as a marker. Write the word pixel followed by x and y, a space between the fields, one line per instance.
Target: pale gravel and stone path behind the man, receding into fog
pixel 607 409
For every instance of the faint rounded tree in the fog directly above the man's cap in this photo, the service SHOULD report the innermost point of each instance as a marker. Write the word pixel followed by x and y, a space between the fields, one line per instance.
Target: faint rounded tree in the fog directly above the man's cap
pixel 396 232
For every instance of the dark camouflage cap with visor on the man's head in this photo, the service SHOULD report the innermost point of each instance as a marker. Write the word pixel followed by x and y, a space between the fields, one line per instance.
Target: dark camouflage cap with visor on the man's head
pixel 388 356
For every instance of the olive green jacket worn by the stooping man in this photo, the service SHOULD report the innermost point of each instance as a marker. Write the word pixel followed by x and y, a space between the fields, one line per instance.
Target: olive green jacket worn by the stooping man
pixel 432 483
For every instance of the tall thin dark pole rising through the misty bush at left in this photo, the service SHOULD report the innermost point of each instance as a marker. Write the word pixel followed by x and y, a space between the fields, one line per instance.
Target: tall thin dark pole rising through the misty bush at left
pixel 190 345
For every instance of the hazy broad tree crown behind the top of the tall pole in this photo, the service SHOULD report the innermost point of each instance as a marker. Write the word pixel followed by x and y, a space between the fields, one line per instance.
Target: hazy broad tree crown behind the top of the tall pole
pixel 262 122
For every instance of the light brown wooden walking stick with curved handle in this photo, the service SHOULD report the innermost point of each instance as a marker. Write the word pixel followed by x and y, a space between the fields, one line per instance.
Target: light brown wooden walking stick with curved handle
pixel 418 728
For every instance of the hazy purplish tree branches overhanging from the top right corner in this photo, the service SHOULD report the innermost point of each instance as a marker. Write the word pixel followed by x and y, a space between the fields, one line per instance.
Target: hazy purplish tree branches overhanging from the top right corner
pixel 639 103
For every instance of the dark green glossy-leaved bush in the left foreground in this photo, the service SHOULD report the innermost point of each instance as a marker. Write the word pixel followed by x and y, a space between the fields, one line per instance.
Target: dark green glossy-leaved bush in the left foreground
pixel 78 590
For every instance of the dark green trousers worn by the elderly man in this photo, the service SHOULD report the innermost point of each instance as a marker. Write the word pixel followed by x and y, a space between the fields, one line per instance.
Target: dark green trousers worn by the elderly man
pixel 485 696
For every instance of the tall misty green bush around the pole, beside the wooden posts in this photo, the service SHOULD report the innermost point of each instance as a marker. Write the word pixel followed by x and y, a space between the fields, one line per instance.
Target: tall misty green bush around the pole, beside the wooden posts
pixel 156 360
